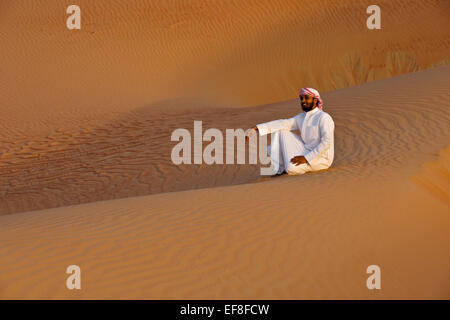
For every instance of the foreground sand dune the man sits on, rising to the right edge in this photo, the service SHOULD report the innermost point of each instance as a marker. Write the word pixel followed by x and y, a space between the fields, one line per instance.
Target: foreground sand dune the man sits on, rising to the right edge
pixel 311 236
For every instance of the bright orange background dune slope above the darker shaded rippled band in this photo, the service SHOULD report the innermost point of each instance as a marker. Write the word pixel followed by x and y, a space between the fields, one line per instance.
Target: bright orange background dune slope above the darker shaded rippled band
pixel 132 54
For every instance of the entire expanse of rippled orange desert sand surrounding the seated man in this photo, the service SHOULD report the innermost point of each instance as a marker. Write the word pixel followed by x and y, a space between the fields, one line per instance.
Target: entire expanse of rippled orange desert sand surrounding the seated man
pixel 86 176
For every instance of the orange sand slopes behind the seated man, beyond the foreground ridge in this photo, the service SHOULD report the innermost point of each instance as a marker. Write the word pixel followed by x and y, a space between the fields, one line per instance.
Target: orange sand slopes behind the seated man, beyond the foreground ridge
pixel 85 114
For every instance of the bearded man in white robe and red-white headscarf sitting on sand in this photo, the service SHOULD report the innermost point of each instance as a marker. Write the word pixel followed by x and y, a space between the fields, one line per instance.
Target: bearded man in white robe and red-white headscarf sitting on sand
pixel 314 150
